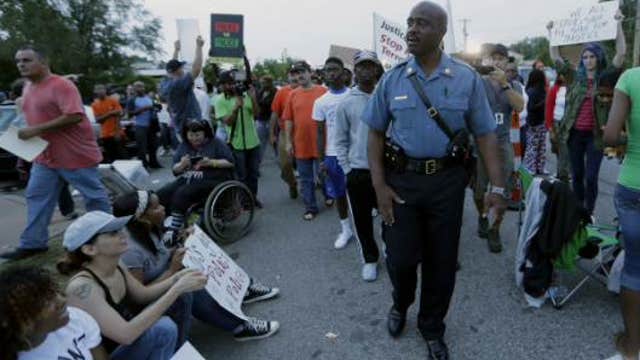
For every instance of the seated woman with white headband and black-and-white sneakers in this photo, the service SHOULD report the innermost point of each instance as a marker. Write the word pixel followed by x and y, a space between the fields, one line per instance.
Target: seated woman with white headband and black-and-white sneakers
pixel 150 261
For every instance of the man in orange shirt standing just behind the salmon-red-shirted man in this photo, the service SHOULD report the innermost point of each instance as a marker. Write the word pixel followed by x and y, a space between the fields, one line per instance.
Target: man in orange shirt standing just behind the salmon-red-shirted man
pixel 107 112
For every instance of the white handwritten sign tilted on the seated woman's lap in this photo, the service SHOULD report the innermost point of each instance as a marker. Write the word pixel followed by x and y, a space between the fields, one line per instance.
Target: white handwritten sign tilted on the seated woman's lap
pixel 227 283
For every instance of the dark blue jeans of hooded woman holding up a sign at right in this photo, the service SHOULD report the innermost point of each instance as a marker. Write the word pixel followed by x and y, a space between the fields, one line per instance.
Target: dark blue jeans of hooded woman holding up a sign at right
pixel 581 145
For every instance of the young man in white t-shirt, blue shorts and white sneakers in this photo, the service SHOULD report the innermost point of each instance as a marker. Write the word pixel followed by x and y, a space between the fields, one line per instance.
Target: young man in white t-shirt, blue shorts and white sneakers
pixel 324 112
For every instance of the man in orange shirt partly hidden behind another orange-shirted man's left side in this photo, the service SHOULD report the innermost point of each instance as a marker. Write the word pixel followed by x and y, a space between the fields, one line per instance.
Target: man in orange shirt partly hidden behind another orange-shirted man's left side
pixel 278 134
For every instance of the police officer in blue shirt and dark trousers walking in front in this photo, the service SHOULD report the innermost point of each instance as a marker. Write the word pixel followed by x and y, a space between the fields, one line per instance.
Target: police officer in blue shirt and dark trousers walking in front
pixel 421 198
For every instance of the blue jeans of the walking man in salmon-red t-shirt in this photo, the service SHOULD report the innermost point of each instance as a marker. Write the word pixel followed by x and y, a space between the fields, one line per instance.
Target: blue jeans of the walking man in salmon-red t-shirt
pixel 43 191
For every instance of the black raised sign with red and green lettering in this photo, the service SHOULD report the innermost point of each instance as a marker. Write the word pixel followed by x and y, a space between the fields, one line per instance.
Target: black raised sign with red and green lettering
pixel 227 33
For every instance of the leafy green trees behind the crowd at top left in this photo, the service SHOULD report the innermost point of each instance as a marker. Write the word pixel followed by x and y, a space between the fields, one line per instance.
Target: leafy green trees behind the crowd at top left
pixel 96 38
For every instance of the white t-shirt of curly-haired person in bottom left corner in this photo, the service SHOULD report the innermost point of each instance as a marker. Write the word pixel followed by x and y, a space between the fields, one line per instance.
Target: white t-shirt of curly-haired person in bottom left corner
pixel 72 341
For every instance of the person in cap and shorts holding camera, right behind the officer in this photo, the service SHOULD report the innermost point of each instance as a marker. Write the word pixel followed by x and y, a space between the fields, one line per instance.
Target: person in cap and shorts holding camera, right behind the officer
pixel 504 97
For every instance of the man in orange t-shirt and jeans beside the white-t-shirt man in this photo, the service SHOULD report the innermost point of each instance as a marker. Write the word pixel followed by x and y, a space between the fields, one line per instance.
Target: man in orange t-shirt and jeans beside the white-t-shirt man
pixel 301 133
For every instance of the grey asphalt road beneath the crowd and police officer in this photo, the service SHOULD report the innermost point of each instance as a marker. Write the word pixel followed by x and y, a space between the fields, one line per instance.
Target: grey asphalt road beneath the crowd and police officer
pixel 322 294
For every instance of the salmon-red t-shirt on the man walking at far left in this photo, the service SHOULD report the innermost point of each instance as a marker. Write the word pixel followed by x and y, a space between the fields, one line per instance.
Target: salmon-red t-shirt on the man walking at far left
pixel 72 147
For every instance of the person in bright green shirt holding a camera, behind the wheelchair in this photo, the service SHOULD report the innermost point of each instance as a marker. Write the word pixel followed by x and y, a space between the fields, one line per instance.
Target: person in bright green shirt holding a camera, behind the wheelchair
pixel 237 109
